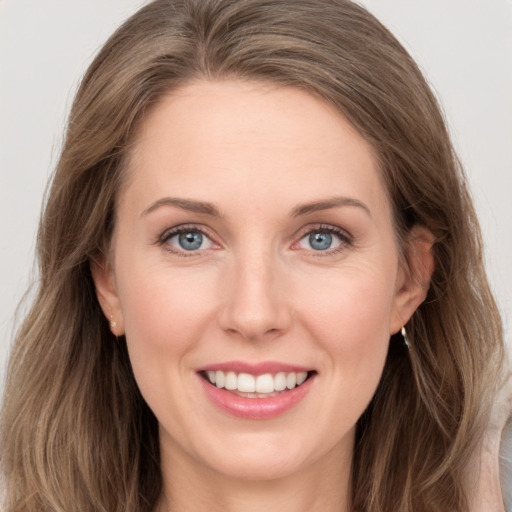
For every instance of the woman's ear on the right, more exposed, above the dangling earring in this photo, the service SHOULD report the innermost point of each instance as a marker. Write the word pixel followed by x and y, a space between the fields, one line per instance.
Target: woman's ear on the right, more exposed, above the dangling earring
pixel 414 275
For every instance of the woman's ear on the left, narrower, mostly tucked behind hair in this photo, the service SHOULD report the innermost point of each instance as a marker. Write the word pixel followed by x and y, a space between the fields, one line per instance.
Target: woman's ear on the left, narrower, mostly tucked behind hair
pixel 106 291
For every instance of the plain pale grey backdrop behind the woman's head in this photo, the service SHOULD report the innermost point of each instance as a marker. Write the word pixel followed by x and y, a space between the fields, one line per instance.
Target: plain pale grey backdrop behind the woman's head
pixel 464 48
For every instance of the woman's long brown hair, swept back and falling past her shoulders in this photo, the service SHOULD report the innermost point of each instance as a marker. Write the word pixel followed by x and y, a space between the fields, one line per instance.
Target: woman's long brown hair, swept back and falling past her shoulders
pixel 76 433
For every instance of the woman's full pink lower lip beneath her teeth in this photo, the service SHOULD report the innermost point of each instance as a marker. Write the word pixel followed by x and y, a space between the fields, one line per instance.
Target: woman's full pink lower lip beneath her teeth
pixel 256 408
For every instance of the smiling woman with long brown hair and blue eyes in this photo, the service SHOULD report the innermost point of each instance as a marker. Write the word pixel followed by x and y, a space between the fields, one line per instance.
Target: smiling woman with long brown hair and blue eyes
pixel 261 278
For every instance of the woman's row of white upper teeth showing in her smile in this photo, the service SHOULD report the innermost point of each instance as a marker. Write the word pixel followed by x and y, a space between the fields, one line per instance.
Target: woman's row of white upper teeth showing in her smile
pixel 265 384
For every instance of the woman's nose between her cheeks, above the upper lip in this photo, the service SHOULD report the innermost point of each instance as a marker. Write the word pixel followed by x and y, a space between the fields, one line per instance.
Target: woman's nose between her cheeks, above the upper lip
pixel 256 304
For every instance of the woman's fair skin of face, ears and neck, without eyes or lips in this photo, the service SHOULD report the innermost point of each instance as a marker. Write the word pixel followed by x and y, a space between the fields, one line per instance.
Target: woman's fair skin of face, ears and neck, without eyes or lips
pixel 256 290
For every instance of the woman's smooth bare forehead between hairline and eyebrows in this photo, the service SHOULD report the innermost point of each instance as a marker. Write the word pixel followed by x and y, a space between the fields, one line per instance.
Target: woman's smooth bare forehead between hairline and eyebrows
pixel 233 141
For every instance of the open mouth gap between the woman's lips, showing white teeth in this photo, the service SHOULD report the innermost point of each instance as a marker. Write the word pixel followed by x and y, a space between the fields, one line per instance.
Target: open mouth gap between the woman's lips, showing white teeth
pixel 266 385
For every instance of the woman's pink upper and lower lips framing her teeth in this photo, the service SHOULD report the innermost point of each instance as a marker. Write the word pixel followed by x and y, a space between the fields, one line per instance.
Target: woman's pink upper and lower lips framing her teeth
pixel 255 408
